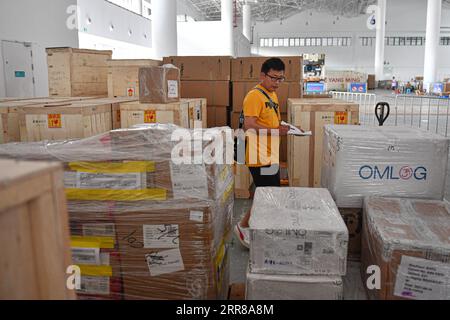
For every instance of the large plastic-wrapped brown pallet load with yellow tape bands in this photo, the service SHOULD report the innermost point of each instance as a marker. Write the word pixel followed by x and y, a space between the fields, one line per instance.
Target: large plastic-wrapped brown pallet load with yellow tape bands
pixel 142 226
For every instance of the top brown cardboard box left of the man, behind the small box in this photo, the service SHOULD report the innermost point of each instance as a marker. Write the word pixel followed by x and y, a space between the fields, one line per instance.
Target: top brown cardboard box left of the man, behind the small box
pixel 211 68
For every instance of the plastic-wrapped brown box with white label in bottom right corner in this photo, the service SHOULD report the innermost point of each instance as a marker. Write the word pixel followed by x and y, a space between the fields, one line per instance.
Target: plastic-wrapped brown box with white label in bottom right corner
pixel 409 240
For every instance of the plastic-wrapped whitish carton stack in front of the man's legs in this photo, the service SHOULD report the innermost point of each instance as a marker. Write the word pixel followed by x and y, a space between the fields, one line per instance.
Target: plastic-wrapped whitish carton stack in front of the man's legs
pixel 302 254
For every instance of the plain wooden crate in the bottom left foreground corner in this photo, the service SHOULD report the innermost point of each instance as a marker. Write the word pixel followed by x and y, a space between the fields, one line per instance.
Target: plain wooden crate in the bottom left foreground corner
pixel 34 231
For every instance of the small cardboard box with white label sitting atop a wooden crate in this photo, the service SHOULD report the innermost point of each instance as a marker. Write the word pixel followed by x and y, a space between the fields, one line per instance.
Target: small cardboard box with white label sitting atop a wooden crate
pixel 159 84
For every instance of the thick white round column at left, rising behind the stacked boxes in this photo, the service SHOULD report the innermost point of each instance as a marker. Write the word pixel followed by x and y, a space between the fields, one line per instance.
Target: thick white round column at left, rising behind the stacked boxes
pixel 164 27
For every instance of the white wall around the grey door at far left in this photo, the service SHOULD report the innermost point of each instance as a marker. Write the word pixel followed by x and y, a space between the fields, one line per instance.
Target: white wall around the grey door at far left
pixel 41 22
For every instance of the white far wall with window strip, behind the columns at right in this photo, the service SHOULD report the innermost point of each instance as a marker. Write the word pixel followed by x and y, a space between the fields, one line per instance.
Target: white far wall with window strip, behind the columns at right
pixel 404 18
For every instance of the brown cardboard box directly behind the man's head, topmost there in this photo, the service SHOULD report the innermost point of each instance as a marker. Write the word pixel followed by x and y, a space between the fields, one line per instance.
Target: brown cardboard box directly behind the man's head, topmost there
pixel 249 69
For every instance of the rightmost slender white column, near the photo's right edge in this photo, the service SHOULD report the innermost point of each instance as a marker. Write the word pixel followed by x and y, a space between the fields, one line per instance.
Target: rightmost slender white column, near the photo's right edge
pixel 432 41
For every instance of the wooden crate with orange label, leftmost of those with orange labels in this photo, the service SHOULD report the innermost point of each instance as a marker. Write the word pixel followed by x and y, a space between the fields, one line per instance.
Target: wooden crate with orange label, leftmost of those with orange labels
pixel 65 120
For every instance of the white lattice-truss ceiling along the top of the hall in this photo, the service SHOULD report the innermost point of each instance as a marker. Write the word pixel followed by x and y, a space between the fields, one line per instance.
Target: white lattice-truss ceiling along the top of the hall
pixel 267 10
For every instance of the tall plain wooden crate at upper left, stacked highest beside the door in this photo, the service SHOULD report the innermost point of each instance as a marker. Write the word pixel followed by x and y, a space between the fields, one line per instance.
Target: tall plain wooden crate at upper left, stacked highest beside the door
pixel 77 72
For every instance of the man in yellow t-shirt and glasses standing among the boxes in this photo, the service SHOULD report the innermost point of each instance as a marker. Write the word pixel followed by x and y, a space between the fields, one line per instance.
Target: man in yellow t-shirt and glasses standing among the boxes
pixel 262 123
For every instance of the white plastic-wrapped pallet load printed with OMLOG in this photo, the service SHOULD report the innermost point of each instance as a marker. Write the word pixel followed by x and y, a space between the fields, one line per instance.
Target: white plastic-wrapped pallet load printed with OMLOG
pixel 383 161
